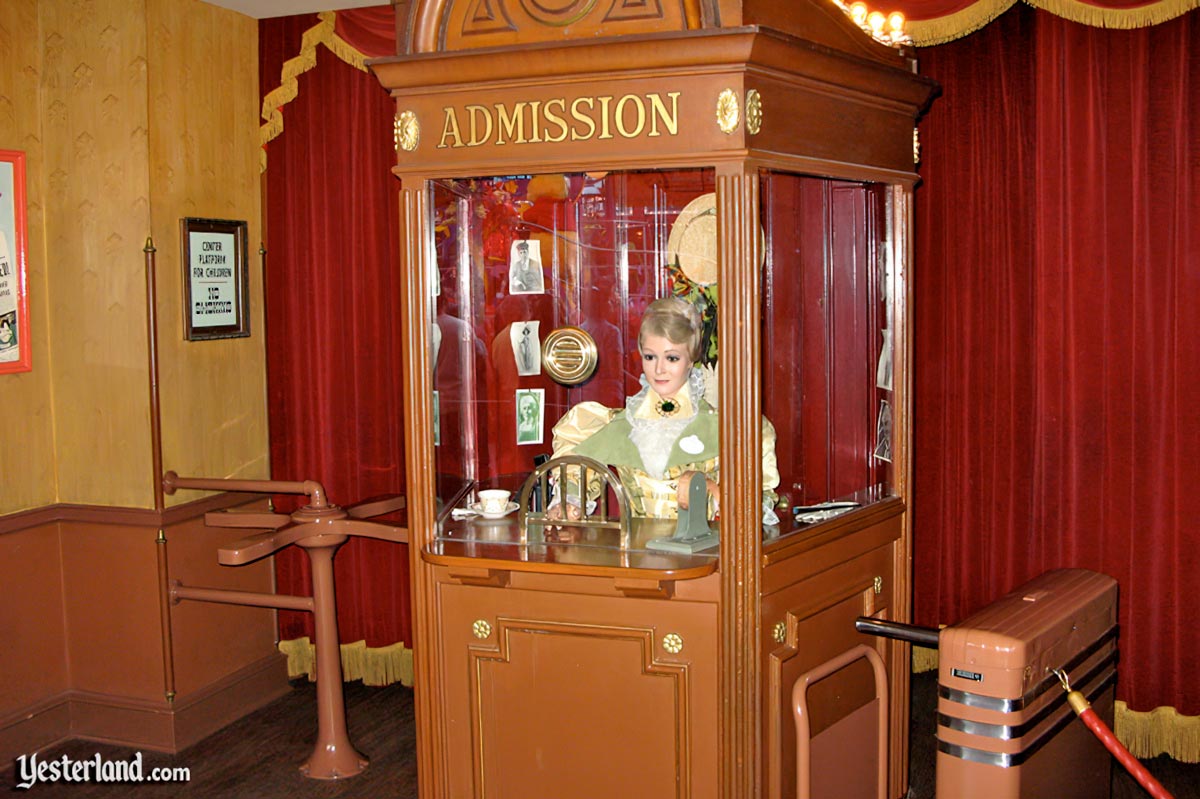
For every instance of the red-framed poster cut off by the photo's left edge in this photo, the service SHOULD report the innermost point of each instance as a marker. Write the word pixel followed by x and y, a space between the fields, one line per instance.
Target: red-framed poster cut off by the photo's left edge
pixel 15 345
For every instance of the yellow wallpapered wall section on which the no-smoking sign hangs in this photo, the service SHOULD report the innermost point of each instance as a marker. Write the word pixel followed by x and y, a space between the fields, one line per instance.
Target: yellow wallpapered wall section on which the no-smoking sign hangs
pixel 205 158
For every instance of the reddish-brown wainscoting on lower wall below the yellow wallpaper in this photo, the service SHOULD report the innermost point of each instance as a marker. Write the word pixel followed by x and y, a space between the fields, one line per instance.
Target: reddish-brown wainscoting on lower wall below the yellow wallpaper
pixel 93 647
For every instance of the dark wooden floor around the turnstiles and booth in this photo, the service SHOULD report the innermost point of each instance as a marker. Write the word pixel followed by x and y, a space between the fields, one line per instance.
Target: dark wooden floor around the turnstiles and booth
pixel 259 756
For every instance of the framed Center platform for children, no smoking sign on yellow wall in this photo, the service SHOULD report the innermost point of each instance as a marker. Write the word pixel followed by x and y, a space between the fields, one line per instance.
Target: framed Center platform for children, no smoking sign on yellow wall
pixel 217 281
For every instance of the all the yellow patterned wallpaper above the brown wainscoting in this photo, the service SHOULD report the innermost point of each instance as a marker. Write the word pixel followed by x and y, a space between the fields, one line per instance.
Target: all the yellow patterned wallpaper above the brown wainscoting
pixel 133 115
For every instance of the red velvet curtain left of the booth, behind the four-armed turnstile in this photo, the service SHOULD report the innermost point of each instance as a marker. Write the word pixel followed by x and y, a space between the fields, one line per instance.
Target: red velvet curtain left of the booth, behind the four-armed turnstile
pixel 333 317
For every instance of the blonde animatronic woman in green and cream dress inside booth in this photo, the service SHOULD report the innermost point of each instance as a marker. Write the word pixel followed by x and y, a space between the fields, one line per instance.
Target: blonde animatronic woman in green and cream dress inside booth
pixel 667 436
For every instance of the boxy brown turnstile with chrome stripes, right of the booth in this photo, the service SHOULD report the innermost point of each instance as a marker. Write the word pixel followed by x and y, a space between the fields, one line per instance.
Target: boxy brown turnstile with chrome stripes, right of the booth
pixel 1005 730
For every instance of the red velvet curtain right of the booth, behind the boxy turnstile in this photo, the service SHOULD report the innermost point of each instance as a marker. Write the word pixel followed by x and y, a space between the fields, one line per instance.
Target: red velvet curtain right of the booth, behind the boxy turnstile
pixel 1059 329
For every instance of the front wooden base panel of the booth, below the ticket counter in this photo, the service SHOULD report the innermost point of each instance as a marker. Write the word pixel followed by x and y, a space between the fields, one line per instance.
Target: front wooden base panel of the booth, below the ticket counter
pixel 550 690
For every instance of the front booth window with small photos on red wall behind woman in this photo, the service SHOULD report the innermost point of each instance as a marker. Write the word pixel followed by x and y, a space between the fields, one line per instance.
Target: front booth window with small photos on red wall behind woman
pixel 518 259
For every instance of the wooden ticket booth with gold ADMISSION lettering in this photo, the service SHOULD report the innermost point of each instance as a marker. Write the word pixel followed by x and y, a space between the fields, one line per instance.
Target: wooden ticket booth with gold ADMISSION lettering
pixel 562 166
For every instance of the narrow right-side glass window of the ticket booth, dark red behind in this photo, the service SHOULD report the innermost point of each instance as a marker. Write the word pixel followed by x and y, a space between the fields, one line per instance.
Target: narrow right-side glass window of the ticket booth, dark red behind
pixel 827 343
